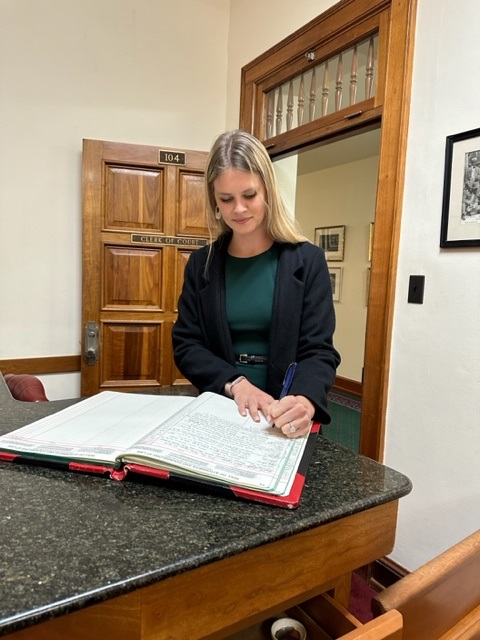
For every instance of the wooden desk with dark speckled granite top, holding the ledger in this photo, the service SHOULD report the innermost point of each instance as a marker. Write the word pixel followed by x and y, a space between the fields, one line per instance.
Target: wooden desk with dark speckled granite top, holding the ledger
pixel 85 557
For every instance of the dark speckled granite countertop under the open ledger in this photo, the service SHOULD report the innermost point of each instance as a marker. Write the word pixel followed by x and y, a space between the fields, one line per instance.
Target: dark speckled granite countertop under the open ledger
pixel 69 540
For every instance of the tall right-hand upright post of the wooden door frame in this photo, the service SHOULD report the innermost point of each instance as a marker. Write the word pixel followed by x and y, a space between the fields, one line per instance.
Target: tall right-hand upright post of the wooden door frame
pixel 391 175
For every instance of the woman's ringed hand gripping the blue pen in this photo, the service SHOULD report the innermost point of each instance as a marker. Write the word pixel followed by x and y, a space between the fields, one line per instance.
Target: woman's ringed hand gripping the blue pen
pixel 293 415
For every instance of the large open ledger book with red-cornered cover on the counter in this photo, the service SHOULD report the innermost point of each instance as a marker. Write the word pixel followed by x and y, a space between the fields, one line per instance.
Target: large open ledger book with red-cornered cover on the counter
pixel 203 440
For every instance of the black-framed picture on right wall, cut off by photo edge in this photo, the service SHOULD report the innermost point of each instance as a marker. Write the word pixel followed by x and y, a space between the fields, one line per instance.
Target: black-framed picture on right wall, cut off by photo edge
pixel 461 191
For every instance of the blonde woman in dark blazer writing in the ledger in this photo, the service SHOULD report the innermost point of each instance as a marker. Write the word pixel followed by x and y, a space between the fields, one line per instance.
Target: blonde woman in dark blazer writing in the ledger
pixel 258 298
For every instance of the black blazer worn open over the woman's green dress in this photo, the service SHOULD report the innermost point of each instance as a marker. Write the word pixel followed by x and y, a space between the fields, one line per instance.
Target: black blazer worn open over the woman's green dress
pixel 303 322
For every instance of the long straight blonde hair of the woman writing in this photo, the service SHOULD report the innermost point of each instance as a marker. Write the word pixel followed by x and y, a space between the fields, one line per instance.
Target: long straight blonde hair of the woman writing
pixel 240 150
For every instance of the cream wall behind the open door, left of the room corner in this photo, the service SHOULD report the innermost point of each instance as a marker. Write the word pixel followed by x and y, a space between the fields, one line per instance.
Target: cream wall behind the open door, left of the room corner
pixel 147 72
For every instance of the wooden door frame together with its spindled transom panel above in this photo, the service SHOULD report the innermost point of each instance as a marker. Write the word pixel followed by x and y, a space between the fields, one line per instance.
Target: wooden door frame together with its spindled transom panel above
pixel 338 30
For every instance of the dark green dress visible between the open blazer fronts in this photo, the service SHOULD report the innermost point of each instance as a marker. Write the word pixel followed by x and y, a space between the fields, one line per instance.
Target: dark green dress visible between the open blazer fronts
pixel 250 286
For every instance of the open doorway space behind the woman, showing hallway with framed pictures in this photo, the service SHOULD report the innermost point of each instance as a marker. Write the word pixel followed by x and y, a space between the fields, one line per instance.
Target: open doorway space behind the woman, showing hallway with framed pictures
pixel 333 186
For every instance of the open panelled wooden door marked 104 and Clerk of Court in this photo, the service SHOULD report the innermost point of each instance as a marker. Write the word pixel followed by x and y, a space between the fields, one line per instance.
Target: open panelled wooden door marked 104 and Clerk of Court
pixel 143 214
